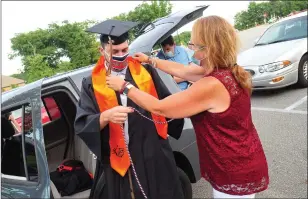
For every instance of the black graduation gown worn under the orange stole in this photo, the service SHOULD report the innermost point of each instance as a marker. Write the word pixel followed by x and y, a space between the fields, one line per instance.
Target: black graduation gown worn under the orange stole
pixel 152 156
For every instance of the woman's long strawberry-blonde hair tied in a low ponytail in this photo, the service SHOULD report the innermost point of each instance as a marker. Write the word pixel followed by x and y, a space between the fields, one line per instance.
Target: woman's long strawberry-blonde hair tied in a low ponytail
pixel 221 47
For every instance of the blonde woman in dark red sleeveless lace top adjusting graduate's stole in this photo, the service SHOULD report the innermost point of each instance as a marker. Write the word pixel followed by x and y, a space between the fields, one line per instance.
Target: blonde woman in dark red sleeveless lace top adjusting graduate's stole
pixel 231 155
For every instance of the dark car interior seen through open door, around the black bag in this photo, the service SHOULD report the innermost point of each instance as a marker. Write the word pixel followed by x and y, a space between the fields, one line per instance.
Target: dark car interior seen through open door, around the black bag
pixel 60 140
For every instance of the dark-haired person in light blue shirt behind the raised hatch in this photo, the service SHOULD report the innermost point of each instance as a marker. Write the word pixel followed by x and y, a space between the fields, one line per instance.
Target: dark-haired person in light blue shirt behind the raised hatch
pixel 170 51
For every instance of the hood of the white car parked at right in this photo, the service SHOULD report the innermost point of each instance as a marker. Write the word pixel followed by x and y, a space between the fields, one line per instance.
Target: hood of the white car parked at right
pixel 260 55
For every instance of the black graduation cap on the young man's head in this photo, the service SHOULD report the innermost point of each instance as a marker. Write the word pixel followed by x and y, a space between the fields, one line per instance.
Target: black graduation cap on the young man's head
pixel 117 30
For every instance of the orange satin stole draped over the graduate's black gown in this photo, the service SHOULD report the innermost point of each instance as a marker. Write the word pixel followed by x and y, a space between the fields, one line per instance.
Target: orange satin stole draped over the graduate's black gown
pixel 106 99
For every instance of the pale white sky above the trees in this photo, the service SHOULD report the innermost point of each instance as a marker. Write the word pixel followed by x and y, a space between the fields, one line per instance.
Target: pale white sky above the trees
pixel 25 16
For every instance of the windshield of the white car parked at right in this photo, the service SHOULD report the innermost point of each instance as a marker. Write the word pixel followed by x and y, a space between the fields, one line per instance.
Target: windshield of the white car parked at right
pixel 285 31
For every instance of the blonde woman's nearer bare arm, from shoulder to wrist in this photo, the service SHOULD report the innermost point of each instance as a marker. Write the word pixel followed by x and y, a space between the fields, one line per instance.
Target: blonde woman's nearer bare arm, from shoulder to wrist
pixel 197 98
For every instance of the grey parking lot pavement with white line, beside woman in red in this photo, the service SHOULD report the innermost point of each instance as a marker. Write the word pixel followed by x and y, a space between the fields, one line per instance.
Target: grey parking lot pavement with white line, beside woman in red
pixel 280 117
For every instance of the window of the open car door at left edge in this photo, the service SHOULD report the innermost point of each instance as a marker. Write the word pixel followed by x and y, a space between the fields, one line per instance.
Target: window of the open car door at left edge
pixel 17 144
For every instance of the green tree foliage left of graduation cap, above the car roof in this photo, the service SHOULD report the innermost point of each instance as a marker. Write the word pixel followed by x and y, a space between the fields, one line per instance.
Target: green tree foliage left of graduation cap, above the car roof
pixel 58 48
